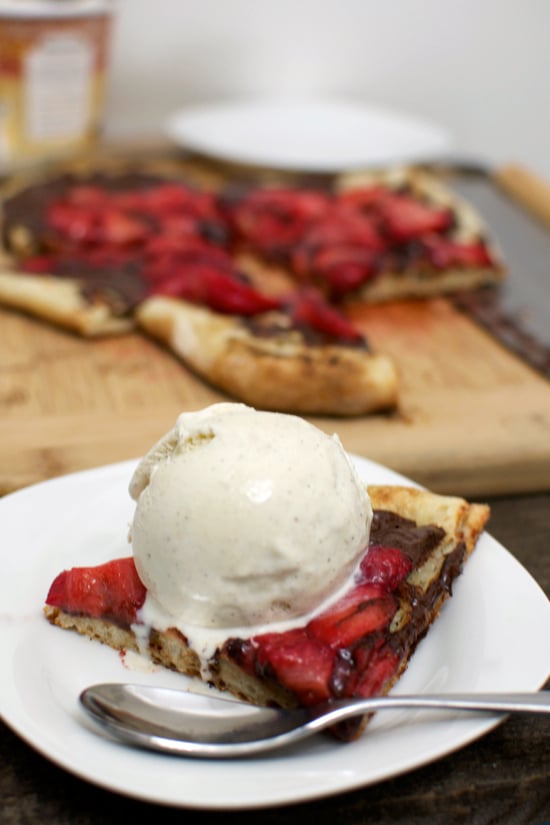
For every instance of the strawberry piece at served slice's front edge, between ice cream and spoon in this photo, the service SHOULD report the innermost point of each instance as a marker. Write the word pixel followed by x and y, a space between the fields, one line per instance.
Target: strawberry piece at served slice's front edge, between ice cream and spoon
pixel 301 664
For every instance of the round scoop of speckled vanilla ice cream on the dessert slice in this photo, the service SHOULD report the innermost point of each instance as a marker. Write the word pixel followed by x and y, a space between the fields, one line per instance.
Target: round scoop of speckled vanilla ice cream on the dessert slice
pixel 246 517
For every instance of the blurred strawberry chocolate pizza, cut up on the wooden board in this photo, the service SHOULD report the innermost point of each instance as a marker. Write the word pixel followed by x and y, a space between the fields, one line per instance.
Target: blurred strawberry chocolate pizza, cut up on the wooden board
pixel 248 285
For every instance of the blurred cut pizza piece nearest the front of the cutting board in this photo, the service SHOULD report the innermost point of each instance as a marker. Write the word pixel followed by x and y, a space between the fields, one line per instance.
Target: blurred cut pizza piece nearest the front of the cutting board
pixel 302 356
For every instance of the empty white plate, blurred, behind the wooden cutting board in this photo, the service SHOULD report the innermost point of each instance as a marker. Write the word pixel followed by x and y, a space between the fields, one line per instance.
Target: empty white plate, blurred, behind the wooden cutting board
pixel 308 135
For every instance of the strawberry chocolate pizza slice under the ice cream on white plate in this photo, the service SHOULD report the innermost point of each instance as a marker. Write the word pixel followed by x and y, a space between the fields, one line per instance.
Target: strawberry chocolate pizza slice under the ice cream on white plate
pixel 357 647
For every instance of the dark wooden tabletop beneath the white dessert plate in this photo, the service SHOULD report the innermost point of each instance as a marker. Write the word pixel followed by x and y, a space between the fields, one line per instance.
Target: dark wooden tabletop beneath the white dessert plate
pixel 502 778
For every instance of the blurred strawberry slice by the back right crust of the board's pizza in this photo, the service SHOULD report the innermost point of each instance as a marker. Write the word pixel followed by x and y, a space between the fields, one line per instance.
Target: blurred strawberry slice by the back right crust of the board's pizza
pixel 405 218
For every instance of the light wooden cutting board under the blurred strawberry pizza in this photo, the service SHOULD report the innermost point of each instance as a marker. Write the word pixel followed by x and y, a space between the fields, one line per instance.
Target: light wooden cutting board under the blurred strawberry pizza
pixel 473 419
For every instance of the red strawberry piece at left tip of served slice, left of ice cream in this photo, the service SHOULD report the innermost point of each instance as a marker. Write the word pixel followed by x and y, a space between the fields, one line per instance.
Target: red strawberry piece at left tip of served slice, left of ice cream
pixel 112 591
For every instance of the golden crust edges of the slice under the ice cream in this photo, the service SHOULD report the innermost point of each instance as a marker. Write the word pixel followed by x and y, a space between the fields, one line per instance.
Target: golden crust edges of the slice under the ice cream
pixel 462 522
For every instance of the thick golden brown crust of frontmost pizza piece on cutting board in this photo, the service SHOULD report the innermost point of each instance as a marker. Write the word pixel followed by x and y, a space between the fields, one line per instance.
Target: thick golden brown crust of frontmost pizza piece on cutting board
pixel 280 372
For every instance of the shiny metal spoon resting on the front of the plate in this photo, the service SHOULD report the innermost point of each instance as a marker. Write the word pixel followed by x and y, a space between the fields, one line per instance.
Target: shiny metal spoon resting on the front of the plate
pixel 180 722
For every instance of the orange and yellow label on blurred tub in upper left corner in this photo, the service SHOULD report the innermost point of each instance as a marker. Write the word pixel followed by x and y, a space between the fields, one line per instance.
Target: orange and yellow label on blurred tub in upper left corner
pixel 52 80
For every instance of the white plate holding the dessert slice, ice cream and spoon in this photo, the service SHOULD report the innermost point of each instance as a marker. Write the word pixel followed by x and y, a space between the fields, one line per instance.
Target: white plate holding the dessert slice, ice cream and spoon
pixel 82 519
